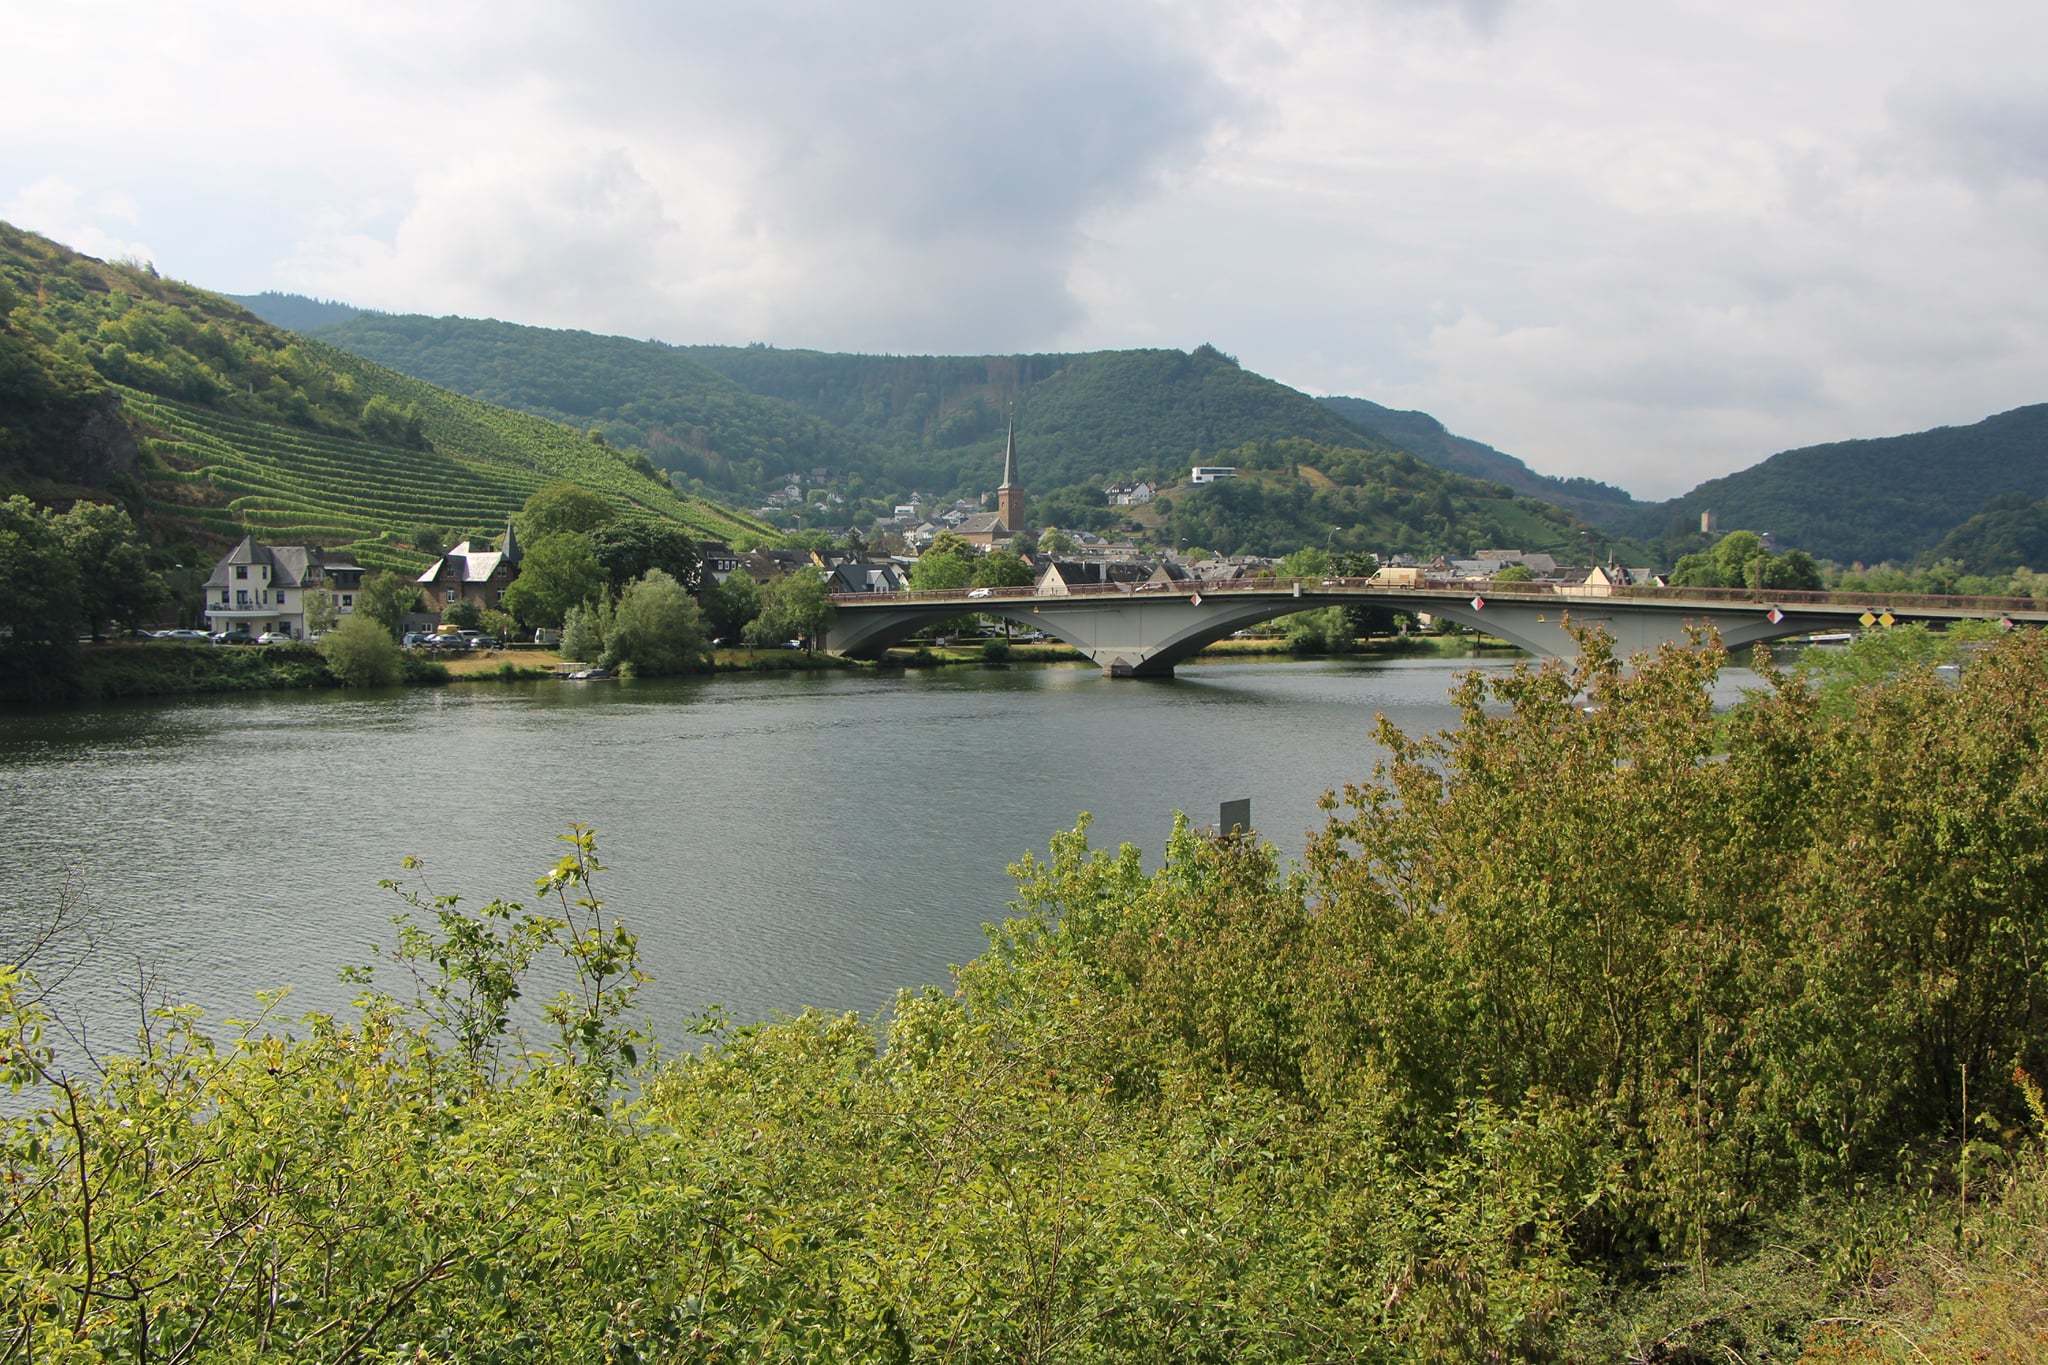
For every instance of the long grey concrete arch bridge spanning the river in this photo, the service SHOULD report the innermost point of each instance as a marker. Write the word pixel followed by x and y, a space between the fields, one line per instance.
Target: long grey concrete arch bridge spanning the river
pixel 1146 629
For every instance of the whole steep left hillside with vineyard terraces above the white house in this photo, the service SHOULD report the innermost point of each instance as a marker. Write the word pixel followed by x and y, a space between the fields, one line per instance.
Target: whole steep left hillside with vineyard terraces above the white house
pixel 216 425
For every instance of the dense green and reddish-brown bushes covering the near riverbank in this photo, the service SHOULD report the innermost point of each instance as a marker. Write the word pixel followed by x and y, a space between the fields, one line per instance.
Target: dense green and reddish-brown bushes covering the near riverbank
pixel 1601 1028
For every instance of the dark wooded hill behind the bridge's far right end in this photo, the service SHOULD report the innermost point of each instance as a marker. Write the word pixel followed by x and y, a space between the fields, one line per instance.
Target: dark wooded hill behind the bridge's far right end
pixel 1875 500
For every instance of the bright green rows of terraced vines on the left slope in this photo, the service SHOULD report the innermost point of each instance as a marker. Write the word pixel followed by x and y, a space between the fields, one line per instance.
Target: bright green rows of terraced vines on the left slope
pixel 290 484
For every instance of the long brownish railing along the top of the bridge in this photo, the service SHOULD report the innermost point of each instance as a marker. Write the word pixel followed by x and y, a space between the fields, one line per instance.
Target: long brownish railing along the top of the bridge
pixel 1461 588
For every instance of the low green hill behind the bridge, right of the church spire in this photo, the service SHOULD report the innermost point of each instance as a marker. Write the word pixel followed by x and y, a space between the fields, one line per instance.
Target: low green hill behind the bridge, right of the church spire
pixel 1302 494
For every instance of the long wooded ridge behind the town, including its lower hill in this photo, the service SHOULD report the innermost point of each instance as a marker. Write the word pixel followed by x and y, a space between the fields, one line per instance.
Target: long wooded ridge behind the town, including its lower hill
pixel 882 427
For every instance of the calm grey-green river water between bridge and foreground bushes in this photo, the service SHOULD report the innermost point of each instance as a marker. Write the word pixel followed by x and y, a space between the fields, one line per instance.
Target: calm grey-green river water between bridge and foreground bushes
pixel 775 840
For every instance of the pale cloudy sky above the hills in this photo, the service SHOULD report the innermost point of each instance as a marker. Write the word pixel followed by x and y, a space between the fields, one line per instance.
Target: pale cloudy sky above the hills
pixel 1637 243
